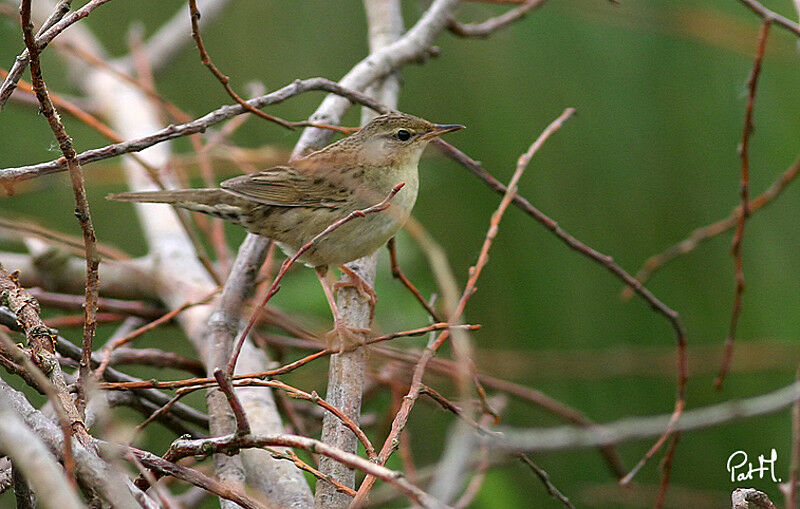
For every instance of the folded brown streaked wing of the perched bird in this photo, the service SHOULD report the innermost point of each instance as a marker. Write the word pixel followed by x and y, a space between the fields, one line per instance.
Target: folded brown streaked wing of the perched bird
pixel 285 186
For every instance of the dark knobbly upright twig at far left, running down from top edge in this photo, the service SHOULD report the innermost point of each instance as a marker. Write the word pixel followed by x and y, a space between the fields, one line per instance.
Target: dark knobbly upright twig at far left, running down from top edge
pixel 81 203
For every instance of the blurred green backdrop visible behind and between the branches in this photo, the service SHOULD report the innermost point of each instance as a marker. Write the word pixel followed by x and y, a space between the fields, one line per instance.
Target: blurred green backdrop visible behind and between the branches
pixel 660 91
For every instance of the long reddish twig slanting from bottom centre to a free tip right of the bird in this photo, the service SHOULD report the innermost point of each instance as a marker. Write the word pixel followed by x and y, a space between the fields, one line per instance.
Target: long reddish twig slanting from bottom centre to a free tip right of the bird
pixel 403 414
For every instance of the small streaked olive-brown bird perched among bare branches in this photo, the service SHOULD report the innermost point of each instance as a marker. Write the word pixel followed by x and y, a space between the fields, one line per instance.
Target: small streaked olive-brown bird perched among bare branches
pixel 293 203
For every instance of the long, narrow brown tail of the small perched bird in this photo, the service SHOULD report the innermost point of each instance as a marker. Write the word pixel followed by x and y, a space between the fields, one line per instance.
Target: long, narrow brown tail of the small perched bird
pixel 216 202
